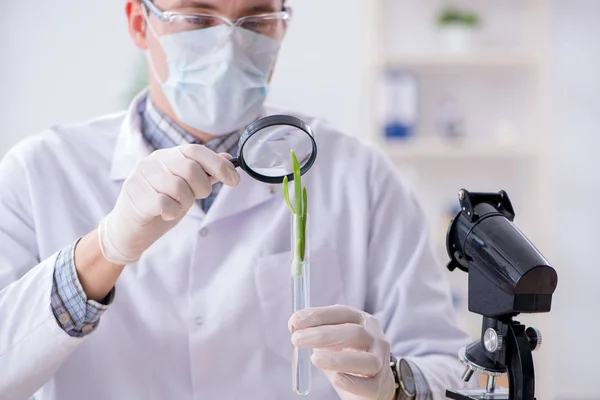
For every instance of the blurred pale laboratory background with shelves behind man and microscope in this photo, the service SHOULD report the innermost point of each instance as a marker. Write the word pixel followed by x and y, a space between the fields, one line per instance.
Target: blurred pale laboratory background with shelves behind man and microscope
pixel 505 96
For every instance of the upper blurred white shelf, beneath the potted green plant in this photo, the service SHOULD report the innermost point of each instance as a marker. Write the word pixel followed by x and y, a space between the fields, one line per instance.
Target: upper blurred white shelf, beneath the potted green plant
pixel 477 60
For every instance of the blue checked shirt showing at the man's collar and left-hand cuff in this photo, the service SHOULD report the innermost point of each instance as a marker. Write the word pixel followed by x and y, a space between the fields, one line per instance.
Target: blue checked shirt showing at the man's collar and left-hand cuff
pixel 77 315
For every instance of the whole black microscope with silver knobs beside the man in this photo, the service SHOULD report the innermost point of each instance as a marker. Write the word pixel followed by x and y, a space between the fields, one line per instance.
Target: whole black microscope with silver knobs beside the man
pixel 507 276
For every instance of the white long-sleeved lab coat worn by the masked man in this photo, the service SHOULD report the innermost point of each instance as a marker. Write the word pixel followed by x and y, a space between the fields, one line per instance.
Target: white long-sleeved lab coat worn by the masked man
pixel 203 314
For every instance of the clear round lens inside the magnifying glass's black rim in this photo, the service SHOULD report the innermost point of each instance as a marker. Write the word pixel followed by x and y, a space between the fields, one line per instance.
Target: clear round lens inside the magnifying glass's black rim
pixel 268 151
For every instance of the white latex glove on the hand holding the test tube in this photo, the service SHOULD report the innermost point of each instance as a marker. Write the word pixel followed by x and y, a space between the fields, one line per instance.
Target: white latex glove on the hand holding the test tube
pixel 350 347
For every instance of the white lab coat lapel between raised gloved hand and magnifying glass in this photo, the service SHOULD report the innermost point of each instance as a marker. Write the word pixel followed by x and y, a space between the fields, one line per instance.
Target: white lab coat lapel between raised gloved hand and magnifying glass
pixel 248 194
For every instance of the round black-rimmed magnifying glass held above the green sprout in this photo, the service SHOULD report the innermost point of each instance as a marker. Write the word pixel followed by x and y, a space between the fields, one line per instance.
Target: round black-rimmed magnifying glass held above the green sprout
pixel 266 144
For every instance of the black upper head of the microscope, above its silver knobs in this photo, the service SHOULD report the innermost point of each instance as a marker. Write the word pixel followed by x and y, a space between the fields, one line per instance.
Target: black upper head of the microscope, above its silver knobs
pixel 507 273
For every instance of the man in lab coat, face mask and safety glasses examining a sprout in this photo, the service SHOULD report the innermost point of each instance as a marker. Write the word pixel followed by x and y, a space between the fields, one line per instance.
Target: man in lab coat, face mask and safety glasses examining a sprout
pixel 137 263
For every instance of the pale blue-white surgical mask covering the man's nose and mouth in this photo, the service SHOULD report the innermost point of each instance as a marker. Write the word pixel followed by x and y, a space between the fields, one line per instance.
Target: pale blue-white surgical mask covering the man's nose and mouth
pixel 218 77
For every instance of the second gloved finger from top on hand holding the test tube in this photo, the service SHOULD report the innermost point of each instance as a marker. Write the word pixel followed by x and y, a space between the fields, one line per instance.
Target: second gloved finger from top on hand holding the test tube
pixel 350 336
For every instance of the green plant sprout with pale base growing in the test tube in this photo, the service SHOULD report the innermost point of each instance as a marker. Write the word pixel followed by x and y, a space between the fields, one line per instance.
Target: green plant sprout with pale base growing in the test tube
pixel 300 212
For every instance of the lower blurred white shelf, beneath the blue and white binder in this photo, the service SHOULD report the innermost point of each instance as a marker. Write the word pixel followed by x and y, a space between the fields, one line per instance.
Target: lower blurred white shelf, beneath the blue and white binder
pixel 426 148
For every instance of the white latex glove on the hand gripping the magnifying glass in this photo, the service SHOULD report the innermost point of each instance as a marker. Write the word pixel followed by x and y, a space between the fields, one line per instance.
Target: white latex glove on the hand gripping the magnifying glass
pixel 157 195
